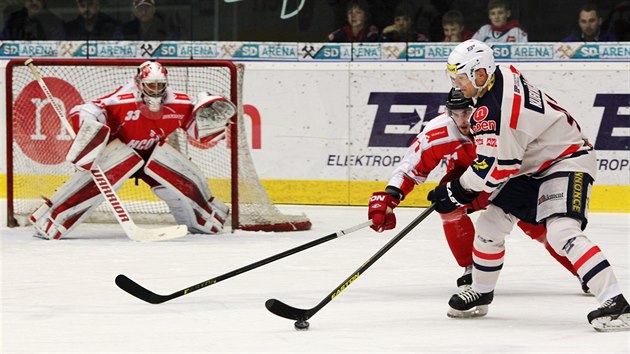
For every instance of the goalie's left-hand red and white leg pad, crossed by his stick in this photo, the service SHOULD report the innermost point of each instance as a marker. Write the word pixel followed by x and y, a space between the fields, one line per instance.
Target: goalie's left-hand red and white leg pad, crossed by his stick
pixel 77 198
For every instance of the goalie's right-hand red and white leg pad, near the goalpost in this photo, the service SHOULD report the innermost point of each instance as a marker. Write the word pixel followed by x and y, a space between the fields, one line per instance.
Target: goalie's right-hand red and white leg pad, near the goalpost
pixel 185 190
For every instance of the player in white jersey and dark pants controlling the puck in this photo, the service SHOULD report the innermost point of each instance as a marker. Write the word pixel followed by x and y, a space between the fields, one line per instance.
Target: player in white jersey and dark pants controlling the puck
pixel 533 156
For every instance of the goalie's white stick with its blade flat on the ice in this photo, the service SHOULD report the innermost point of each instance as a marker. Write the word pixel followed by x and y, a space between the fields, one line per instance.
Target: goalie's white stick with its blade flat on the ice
pixel 132 231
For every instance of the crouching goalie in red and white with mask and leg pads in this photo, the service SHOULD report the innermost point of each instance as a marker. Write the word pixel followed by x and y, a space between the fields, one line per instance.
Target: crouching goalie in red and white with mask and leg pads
pixel 125 134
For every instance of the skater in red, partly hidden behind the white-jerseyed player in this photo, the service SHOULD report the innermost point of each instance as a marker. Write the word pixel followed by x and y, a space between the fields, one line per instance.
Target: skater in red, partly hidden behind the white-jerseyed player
pixel 446 137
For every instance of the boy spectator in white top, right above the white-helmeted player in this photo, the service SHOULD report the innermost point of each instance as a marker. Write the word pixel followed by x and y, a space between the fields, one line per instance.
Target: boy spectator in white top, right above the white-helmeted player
pixel 500 28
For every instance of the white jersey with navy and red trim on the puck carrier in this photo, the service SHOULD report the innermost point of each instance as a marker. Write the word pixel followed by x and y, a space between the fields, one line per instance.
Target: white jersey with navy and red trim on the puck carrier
pixel 521 130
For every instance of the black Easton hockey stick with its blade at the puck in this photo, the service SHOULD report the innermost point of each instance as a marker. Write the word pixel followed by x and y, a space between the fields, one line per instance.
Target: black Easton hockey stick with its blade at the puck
pixel 301 316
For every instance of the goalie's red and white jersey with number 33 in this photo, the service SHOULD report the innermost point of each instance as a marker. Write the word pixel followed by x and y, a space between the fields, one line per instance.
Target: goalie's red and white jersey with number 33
pixel 133 123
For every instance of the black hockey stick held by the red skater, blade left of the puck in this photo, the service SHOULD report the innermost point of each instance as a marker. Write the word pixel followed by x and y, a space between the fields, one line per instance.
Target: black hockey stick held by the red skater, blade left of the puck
pixel 144 294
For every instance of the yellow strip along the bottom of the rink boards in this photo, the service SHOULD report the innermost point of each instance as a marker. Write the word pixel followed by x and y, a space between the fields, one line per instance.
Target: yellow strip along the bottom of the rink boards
pixel 603 199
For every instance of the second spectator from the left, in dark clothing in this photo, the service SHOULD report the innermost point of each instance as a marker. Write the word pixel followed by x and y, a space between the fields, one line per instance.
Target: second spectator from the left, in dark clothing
pixel 92 24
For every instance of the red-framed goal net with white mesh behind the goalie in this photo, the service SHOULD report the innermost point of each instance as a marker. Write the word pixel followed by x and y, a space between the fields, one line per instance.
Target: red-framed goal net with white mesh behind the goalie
pixel 37 143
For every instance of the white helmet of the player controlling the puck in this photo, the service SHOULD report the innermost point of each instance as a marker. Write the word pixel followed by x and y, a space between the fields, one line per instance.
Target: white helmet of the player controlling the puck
pixel 468 57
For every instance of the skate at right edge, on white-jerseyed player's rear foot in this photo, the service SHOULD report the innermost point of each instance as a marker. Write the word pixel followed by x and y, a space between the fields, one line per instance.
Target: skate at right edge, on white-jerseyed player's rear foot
pixel 613 315
